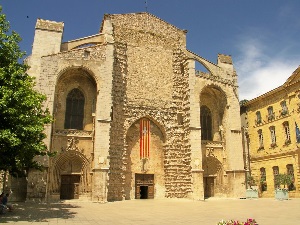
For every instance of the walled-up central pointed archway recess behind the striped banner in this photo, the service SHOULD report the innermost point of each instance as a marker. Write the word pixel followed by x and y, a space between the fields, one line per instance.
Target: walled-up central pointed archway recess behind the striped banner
pixel 152 166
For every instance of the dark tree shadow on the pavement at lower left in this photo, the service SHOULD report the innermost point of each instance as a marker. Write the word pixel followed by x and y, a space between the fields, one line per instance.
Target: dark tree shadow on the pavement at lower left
pixel 38 212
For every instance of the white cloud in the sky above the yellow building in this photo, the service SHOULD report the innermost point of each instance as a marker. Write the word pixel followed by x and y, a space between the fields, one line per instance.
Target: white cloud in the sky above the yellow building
pixel 259 70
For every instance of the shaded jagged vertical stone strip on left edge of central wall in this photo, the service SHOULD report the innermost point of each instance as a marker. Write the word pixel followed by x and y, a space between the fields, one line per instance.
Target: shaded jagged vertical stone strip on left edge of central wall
pixel 117 132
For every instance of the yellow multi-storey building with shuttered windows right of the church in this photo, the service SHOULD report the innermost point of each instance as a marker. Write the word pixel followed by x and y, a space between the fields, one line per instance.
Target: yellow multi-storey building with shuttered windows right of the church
pixel 274 138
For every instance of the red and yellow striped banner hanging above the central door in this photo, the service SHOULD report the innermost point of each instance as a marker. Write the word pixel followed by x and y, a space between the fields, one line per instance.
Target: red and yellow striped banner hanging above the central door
pixel 144 138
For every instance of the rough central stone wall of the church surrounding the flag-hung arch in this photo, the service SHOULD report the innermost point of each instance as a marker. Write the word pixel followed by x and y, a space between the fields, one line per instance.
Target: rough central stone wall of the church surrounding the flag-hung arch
pixel 151 80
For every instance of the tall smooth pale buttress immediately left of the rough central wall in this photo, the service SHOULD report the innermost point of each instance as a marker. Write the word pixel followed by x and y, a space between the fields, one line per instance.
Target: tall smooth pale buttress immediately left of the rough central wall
pixel 103 120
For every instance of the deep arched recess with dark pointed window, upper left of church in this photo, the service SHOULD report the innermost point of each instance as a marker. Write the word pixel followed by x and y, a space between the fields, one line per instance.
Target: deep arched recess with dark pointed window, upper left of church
pixel 75 99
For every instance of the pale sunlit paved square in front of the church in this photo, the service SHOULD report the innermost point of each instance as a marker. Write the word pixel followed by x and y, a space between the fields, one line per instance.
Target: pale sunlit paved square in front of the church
pixel 167 211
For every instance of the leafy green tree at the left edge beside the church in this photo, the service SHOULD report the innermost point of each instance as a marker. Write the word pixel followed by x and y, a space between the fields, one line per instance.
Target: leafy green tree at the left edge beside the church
pixel 22 115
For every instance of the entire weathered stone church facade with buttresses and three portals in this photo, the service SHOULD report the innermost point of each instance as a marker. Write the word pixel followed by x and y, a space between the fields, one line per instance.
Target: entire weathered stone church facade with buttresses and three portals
pixel 133 118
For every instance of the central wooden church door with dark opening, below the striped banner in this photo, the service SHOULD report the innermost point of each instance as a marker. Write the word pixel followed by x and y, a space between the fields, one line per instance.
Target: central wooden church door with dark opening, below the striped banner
pixel 144 180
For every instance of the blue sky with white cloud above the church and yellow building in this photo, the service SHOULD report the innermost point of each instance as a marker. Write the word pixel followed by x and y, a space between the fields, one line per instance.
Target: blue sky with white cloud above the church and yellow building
pixel 262 36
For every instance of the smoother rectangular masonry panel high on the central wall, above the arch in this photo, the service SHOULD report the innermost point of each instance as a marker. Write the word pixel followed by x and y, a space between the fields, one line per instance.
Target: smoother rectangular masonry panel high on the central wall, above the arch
pixel 150 80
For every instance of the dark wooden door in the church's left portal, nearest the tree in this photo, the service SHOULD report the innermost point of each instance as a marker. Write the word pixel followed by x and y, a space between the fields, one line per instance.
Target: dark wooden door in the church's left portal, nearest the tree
pixel 69 187
